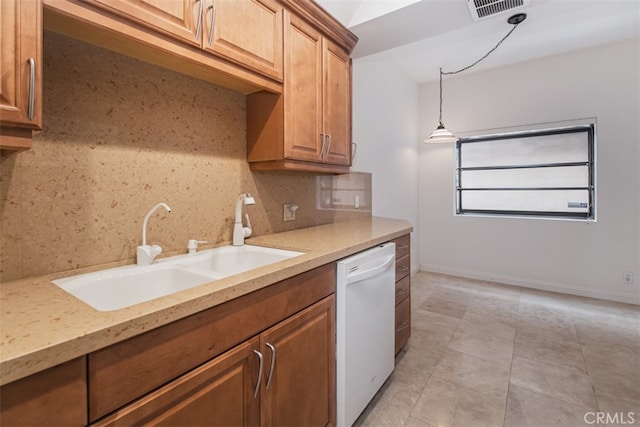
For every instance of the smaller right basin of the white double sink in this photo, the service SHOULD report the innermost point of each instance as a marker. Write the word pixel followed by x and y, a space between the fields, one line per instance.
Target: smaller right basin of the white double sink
pixel 230 260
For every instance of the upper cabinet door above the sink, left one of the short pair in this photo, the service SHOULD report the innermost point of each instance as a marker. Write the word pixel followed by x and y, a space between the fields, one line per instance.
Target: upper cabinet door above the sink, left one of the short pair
pixel 176 18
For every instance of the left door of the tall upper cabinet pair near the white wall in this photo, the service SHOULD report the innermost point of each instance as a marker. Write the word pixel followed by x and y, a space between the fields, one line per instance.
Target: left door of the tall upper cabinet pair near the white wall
pixel 303 136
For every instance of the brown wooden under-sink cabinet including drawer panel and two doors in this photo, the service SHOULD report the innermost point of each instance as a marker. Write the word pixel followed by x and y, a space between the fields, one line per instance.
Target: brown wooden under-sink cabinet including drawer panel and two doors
pixel 168 375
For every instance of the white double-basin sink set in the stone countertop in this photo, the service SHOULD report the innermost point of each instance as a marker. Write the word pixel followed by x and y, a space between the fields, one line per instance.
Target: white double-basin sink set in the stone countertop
pixel 121 287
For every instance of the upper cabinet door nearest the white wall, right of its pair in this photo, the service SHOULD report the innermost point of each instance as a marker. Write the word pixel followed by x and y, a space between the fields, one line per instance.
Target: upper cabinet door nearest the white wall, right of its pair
pixel 337 104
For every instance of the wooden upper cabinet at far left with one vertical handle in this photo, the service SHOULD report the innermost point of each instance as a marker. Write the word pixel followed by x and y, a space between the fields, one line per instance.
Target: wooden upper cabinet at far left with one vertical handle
pixel 21 65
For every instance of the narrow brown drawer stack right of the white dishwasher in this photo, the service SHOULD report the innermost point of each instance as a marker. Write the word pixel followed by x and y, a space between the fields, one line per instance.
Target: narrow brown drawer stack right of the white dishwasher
pixel 403 291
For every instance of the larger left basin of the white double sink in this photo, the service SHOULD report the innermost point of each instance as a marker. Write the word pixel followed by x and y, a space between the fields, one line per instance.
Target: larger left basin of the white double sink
pixel 122 287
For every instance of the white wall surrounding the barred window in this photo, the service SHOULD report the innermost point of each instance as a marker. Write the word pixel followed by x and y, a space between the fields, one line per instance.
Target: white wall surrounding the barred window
pixel 566 256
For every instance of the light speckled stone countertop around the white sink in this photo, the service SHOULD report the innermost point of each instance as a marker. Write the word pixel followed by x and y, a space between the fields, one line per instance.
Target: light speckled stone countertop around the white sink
pixel 42 326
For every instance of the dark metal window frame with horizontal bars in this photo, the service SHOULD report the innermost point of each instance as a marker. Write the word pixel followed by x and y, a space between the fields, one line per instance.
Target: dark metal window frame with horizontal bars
pixel 588 215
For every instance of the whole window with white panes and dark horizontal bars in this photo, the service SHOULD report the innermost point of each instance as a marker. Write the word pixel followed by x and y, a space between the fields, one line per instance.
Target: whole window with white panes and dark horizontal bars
pixel 543 173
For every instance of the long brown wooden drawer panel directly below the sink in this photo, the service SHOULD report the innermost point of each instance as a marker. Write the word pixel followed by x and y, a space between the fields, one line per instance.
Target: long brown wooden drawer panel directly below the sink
pixel 125 371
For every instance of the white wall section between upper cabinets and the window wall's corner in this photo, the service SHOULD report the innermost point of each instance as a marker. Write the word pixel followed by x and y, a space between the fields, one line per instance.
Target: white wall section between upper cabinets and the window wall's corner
pixel 385 122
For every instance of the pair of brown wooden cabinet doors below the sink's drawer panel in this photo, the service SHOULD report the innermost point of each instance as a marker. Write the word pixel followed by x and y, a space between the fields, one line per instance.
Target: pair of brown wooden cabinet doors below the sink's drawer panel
pixel 284 376
